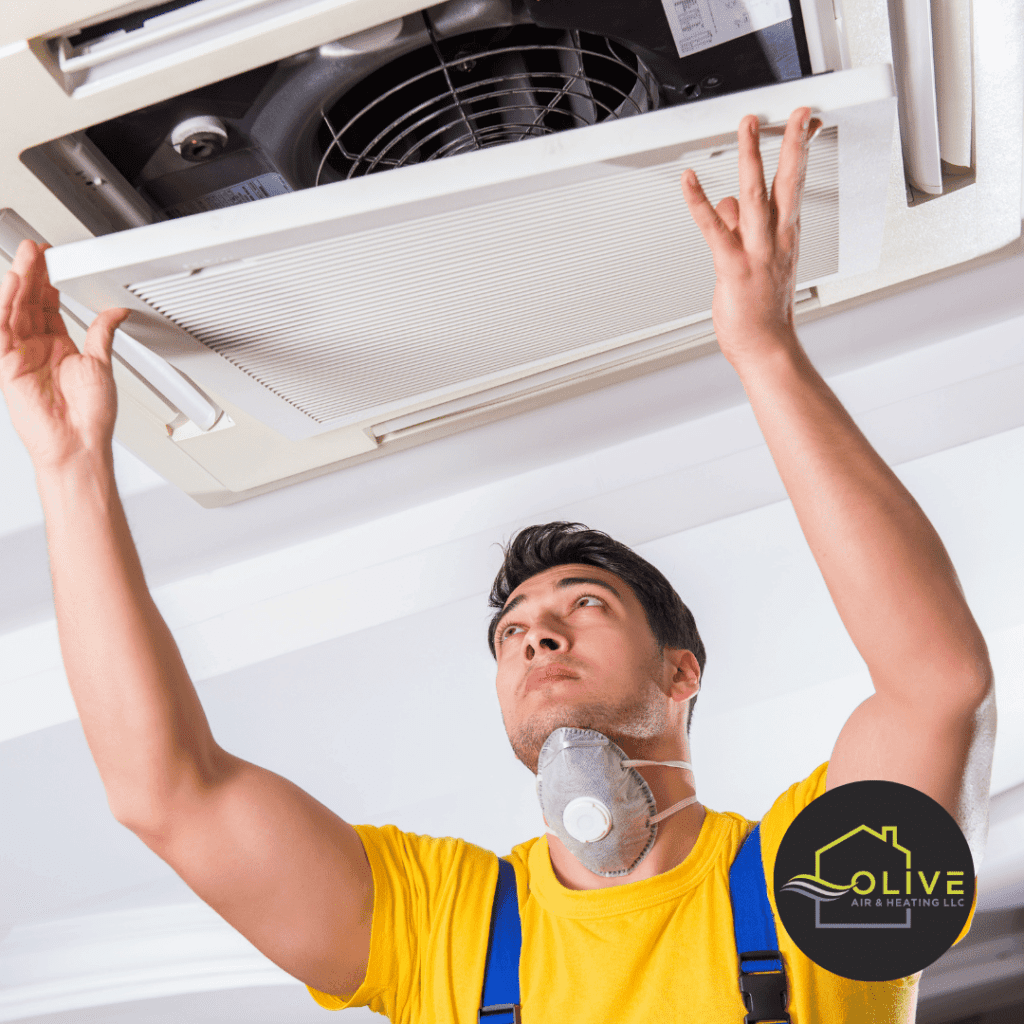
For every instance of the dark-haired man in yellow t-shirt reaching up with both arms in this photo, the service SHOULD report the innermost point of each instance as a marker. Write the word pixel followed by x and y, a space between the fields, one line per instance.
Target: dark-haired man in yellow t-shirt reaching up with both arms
pixel 587 635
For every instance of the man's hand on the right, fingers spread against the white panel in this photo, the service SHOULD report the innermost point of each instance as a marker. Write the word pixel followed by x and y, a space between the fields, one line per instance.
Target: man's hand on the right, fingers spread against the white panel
pixel 755 243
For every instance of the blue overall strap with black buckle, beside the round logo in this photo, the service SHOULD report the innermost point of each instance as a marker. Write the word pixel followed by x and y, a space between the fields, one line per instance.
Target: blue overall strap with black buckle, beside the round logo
pixel 762 971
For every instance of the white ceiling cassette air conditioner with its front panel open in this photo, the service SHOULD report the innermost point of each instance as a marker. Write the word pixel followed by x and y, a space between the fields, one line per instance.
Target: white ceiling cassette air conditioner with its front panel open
pixel 347 228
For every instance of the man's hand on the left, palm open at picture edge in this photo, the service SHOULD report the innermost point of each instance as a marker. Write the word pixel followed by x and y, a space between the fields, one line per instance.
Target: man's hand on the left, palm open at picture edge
pixel 63 403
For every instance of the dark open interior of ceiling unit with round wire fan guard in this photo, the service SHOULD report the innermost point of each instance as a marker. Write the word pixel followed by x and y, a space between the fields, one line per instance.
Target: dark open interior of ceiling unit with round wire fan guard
pixel 454 78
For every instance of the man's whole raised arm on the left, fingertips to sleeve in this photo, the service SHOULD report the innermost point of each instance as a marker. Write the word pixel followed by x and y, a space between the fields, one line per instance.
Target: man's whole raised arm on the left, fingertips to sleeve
pixel 281 868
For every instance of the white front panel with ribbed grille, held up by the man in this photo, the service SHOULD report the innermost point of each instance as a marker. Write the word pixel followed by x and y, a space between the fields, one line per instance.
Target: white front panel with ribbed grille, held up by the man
pixel 386 296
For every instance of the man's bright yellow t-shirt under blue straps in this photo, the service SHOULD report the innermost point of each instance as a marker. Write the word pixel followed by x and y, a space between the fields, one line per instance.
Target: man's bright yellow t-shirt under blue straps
pixel 661 951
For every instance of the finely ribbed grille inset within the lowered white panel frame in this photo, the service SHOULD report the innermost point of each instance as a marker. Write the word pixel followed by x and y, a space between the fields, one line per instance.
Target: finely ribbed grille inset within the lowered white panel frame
pixel 409 313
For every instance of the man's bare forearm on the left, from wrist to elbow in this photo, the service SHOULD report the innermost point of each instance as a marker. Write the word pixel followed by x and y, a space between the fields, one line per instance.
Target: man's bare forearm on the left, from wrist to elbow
pixel 140 711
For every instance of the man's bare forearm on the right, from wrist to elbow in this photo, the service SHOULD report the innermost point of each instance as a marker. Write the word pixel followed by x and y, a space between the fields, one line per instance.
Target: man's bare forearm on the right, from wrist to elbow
pixel 886 569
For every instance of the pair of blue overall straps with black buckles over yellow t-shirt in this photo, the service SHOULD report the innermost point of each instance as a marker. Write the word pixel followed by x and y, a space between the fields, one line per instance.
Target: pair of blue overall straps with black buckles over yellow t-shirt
pixel 762 972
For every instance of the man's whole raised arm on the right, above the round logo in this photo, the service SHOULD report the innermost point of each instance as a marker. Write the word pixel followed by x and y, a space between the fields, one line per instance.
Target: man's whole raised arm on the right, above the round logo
pixel 931 722
